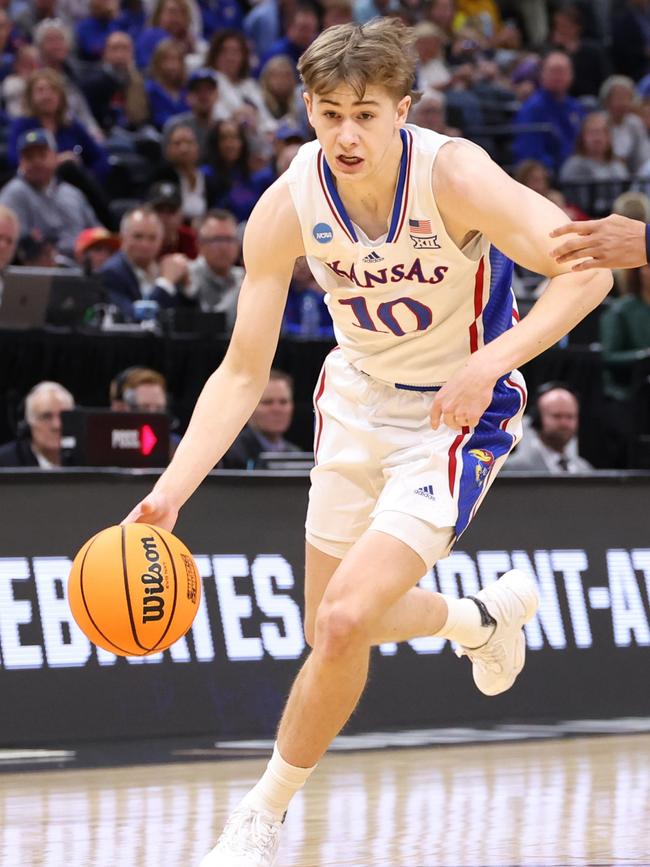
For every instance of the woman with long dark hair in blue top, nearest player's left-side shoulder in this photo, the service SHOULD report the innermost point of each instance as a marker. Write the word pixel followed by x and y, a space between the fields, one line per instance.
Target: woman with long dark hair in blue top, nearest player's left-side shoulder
pixel 230 165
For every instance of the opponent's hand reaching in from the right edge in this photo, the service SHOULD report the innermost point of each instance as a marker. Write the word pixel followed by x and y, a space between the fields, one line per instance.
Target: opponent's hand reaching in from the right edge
pixel 613 242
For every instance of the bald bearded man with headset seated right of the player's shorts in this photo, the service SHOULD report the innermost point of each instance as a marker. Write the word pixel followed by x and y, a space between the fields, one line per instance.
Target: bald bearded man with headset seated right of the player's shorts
pixel 550 444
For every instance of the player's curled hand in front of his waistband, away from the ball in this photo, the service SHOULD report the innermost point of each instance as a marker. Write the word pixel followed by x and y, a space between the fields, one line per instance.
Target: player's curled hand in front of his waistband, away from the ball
pixel 463 399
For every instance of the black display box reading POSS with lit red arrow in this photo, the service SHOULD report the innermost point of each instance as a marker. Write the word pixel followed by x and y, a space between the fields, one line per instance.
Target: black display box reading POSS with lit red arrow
pixel 103 438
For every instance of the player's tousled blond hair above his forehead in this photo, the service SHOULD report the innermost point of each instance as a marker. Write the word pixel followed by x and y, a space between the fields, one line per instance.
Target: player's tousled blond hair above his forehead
pixel 379 53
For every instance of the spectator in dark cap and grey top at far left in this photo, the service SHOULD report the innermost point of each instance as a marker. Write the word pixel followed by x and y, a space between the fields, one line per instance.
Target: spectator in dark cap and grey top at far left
pixel 54 208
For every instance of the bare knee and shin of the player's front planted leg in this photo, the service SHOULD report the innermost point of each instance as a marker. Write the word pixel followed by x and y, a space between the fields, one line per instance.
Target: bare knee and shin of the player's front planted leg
pixel 376 572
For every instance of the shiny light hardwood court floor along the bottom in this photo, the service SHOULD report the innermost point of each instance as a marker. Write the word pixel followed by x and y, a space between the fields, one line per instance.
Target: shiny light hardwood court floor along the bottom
pixel 569 803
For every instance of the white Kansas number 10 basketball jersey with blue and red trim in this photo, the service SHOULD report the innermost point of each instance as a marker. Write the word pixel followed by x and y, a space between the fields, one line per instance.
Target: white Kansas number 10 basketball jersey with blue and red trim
pixel 409 307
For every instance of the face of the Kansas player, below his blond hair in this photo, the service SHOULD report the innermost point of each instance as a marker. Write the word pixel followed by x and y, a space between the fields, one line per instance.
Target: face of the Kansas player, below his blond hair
pixel 356 135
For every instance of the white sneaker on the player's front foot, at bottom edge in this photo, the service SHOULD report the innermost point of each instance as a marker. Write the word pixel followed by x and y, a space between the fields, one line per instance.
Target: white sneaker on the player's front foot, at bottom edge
pixel 250 839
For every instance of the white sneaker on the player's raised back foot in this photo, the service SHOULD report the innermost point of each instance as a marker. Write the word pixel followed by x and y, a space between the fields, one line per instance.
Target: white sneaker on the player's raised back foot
pixel 507 603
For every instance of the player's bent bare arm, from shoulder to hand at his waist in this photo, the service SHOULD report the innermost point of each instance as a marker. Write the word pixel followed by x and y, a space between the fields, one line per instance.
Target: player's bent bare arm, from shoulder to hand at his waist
pixel 474 194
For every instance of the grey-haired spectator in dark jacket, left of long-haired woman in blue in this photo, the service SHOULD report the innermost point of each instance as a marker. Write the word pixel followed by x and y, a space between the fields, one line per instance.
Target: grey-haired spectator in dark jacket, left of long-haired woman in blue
pixel 115 89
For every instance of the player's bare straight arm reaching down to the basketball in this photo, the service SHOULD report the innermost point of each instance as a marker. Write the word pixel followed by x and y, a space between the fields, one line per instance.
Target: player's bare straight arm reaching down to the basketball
pixel 272 243
